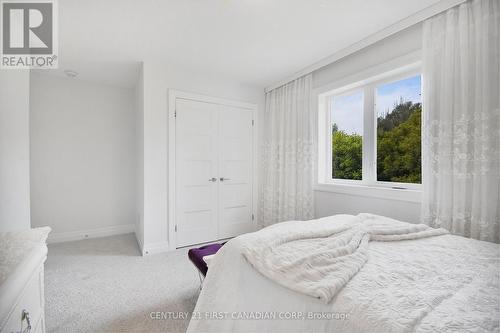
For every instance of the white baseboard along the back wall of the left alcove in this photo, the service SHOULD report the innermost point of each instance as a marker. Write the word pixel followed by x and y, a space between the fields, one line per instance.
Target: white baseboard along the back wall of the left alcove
pixel 58 237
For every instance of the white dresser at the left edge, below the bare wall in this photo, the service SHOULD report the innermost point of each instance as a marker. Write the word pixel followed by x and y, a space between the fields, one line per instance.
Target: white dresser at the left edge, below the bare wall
pixel 21 290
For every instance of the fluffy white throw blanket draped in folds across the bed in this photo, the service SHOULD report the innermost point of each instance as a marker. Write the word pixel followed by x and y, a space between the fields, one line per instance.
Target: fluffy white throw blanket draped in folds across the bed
pixel 319 258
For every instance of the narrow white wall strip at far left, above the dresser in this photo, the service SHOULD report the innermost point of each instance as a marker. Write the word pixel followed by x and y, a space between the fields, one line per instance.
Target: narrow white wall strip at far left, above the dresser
pixel 14 150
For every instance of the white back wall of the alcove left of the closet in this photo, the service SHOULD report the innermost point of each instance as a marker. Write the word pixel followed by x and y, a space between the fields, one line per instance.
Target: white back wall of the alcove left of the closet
pixel 83 161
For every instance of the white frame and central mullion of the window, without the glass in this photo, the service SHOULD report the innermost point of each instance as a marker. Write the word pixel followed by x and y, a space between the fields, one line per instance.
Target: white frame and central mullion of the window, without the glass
pixel 368 88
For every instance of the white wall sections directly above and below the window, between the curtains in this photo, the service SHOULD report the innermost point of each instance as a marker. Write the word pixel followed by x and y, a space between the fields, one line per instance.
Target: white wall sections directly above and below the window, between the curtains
pixel 406 42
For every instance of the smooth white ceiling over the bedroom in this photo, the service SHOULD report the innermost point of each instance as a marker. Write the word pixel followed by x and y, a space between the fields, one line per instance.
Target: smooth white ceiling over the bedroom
pixel 255 42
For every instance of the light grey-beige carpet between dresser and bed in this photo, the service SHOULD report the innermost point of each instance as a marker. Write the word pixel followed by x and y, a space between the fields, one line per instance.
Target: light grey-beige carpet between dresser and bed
pixel 104 285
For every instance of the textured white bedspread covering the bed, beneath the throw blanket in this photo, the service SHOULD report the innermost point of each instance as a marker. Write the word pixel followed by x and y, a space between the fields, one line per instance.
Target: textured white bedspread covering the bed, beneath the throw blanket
pixel 444 283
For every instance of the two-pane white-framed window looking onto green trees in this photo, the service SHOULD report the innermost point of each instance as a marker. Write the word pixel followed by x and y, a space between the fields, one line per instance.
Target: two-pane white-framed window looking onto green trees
pixel 373 132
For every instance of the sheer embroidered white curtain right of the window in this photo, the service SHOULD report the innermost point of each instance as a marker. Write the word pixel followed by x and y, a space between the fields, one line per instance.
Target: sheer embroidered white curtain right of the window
pixel 461 122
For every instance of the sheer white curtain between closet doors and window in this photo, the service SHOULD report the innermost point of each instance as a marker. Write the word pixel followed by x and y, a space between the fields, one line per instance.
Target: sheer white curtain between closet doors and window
pixel 287 177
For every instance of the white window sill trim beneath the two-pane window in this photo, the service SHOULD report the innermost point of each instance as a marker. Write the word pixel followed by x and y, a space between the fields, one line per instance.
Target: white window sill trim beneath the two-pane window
pixel 408 195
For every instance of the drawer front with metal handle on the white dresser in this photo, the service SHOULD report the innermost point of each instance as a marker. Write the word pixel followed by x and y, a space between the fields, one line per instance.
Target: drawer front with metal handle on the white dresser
pixel 31 301
